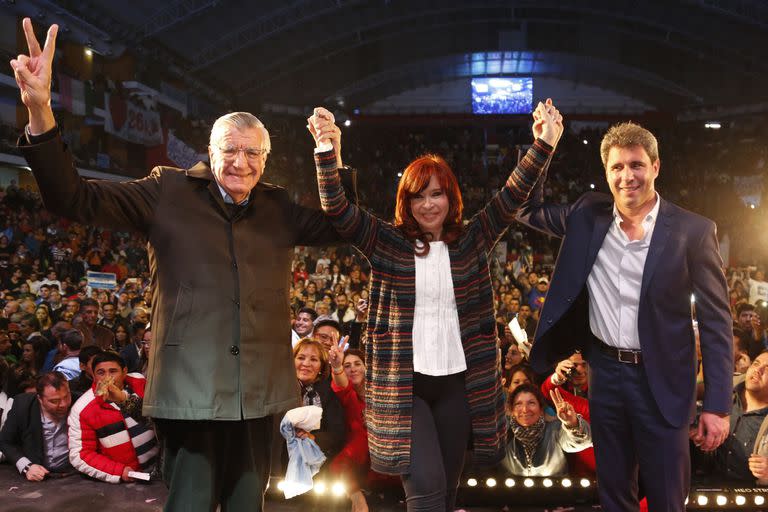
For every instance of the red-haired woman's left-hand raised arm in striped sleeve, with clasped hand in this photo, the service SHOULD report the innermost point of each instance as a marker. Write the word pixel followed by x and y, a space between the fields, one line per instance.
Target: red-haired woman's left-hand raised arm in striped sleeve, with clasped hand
pixel 351 222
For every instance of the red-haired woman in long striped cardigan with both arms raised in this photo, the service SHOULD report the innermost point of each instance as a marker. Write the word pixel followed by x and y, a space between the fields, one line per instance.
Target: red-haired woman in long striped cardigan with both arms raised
pixel 432 379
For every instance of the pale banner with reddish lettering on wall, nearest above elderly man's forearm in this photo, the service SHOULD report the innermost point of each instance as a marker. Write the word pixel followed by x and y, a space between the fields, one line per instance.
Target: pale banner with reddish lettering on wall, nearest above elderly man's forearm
pixel 131 122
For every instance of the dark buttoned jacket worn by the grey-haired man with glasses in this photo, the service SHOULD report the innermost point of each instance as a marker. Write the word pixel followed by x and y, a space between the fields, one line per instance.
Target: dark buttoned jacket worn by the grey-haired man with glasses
pixel 220 280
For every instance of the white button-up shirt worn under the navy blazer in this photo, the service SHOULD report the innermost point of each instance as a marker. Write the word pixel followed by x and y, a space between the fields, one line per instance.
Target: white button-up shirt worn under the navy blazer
pixel 615 280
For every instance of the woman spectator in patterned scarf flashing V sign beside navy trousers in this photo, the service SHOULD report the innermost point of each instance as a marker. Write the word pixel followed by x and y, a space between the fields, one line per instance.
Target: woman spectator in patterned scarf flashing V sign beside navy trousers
pixel 536 447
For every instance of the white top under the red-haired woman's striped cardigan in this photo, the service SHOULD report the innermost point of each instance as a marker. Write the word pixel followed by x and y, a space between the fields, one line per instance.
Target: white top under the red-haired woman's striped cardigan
pixel 437 348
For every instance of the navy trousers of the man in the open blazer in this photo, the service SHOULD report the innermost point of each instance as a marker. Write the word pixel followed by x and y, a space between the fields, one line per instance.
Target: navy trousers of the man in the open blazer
pixel 632 439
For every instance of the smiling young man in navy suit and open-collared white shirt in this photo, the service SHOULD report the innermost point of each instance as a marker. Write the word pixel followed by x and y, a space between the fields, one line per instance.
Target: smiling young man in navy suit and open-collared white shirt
pixel 621 291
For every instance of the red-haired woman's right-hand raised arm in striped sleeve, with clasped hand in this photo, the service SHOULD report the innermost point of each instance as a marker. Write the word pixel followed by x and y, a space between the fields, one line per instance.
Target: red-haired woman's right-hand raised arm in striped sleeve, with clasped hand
pixel 499 213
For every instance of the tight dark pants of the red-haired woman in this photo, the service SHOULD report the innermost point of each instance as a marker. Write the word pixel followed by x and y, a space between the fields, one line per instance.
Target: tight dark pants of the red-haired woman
pixel 439 434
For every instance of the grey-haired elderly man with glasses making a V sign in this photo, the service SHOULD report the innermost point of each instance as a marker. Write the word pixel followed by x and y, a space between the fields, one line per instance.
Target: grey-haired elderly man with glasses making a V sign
pixel 220 246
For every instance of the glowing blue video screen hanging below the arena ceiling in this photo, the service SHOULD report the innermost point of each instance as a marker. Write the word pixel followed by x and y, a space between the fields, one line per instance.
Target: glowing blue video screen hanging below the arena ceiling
pixel 502 95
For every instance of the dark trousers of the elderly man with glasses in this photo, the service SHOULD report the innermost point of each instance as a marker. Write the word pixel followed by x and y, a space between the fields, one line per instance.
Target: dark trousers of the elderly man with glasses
pixel 207 463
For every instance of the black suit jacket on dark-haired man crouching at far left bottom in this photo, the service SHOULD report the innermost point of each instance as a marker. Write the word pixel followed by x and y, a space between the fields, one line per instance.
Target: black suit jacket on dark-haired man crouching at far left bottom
pixel 22 434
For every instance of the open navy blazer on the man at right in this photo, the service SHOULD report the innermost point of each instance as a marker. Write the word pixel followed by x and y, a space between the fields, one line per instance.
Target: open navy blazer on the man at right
pixel 683 259
